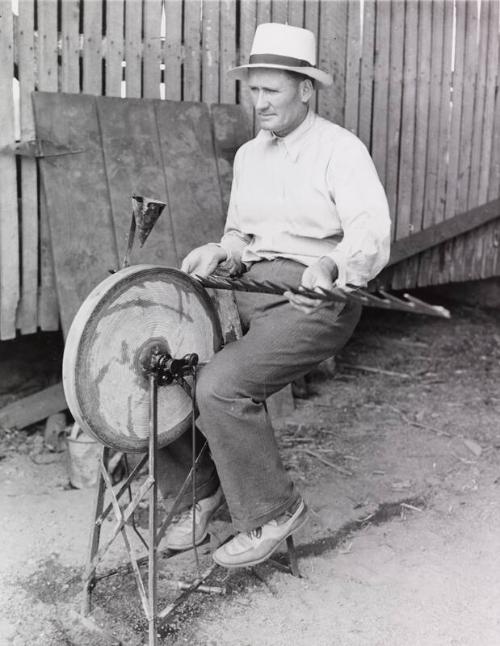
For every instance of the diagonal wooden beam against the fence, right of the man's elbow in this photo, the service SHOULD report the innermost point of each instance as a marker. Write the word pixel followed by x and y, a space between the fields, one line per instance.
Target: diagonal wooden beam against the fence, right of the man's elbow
pixel 443 231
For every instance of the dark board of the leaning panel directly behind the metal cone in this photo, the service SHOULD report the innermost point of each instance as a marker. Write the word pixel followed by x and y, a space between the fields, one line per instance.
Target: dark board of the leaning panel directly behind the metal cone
pixel 134 166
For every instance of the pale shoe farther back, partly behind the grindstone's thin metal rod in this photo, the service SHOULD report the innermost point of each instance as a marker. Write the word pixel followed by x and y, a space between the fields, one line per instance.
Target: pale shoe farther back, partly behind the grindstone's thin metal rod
pixel 179 536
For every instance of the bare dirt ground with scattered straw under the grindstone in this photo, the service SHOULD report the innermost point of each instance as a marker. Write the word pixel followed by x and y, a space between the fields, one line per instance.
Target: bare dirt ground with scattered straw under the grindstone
pixel 397 455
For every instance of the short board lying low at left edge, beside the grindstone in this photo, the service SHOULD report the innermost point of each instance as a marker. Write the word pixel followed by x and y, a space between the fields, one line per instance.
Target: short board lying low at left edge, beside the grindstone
pixel 33 408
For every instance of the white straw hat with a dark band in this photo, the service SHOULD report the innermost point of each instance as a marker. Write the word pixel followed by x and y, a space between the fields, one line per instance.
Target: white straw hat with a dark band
pixel 283 47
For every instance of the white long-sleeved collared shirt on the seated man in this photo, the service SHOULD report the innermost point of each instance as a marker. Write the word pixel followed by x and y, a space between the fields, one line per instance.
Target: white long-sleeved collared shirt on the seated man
pixel 310 194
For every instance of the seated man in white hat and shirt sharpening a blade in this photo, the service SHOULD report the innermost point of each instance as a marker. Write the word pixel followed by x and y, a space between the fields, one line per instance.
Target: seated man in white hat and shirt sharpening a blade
pixel 306 208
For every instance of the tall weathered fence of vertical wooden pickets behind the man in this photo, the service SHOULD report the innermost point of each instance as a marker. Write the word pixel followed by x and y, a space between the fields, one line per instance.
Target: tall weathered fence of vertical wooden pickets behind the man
pixel 418 80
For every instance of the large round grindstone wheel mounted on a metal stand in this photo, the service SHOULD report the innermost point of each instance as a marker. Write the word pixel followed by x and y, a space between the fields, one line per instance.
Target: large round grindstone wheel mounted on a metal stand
pixel 126 315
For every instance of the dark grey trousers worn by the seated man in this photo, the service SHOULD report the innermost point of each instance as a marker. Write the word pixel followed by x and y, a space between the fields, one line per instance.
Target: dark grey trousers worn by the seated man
pixel 279 344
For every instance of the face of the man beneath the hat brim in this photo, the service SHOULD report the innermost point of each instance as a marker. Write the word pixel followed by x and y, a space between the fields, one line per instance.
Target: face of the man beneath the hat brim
pixel 280 100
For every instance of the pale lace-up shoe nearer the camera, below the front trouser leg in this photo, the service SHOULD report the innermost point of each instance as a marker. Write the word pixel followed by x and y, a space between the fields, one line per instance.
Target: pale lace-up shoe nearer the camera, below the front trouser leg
pixel 250 548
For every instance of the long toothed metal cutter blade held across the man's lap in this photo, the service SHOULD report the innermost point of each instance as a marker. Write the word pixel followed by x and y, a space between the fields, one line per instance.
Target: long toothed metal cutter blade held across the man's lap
pixel 383 301
